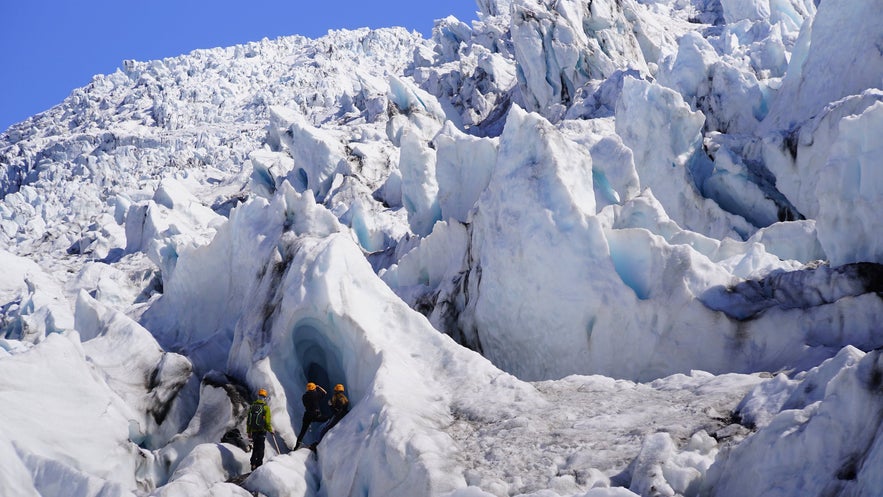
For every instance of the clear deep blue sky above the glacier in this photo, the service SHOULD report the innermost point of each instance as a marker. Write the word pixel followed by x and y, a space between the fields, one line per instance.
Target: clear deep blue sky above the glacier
pixel 49 48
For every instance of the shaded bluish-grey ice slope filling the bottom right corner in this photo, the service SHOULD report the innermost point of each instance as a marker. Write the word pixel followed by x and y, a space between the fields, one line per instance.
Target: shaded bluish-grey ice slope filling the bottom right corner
pixel 832 445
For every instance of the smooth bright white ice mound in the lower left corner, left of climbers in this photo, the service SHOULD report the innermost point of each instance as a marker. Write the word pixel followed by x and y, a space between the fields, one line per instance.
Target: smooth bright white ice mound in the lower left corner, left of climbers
pixel 86 448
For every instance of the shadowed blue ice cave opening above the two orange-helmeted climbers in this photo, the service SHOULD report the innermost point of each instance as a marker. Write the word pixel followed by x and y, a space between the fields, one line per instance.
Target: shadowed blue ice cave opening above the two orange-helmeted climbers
pixel 319 359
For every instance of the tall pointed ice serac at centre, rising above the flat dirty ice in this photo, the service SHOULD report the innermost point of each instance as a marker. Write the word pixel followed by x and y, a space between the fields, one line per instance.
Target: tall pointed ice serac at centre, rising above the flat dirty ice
pixel 533 229
